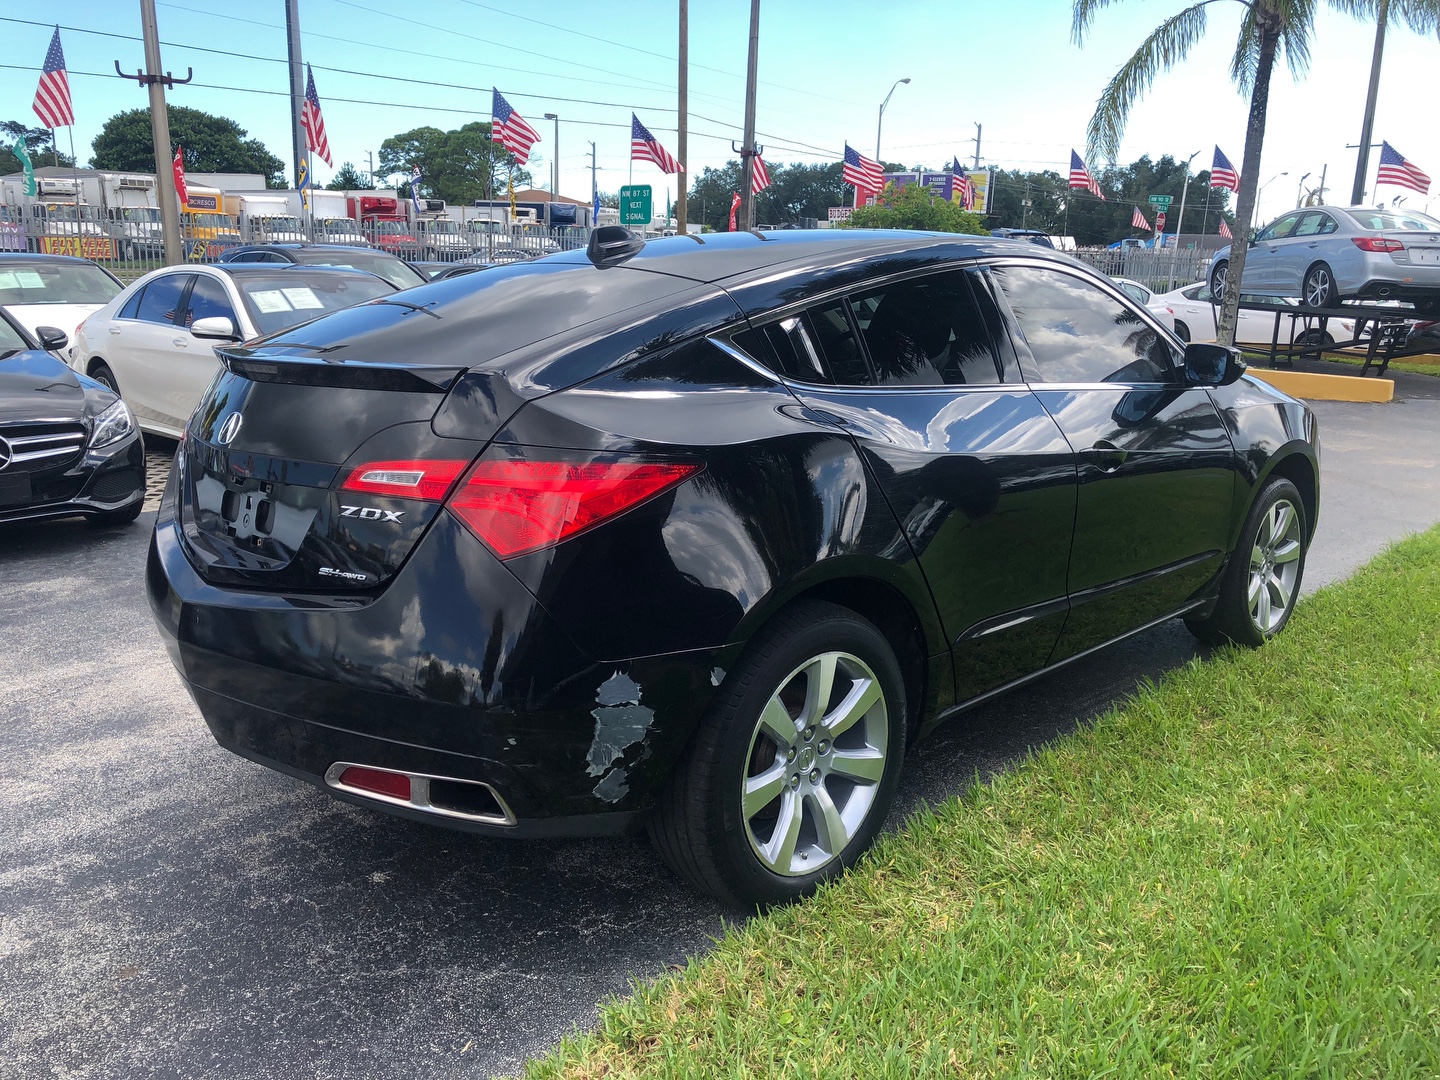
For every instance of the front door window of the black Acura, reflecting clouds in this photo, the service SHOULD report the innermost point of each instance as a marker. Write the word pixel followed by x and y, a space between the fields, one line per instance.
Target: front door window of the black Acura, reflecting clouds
pixel 1081 335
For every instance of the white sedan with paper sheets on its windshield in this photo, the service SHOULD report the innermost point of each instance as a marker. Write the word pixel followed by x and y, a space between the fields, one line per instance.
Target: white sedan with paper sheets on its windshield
pixel 153 343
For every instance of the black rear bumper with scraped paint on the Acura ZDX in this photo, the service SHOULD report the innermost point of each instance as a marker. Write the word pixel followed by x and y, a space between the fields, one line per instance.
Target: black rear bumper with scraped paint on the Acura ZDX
pixel 454 670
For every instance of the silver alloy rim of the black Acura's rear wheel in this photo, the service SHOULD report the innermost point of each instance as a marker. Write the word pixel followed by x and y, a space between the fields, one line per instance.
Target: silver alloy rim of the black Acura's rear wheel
pixel 816 761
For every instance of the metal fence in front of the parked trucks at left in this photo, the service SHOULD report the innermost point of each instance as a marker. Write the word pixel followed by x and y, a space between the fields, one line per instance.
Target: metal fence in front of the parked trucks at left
pixel 130 241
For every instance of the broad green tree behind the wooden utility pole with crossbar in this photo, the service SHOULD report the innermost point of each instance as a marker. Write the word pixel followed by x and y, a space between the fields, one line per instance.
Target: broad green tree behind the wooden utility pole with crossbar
pixel 212 145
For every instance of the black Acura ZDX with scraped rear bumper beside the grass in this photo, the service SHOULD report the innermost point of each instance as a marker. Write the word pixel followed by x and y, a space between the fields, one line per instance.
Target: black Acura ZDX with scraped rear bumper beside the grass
pixel 703 534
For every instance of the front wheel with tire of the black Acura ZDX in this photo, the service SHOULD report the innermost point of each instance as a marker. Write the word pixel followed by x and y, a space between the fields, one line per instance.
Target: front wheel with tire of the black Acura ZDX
pixel 1264 578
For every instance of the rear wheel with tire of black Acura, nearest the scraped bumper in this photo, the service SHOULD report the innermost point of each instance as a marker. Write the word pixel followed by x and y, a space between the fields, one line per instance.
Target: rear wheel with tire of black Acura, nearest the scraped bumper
pixel 794 768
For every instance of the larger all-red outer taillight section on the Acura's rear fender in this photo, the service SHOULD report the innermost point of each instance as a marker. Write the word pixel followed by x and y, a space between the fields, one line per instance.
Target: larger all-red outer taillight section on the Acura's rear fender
pixel 516 508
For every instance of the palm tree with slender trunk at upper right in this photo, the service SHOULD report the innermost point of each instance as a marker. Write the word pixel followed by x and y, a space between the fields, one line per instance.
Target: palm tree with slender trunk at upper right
pixel 1266 28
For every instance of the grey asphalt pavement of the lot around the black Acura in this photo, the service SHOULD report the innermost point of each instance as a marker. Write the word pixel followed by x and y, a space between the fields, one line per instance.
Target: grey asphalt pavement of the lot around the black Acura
pixel 172 911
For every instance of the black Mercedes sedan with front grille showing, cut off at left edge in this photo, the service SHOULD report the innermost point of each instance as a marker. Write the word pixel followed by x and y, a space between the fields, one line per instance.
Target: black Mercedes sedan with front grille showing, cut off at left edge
pixel 68 446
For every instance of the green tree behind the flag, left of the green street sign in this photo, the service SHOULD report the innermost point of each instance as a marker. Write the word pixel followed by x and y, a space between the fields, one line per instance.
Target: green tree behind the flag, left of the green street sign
pixel 457 166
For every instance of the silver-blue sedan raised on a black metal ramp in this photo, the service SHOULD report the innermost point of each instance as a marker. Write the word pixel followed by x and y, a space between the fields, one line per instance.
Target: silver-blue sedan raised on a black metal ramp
pixel 1328 256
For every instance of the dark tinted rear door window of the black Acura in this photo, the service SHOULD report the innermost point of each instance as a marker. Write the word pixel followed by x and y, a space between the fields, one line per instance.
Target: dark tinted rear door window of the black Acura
pixel 927 332
